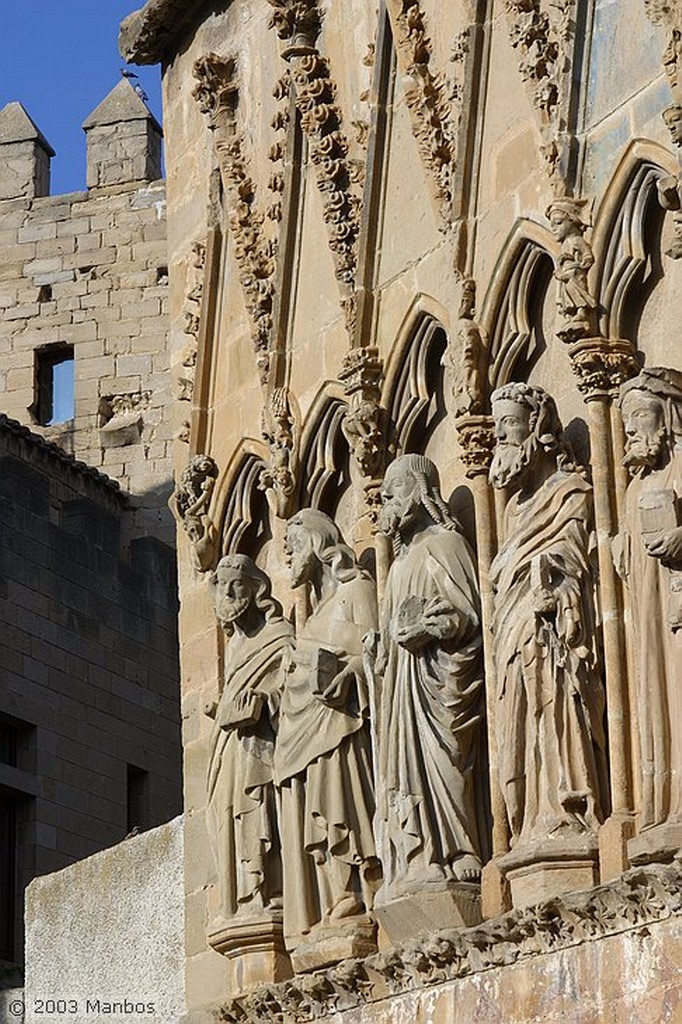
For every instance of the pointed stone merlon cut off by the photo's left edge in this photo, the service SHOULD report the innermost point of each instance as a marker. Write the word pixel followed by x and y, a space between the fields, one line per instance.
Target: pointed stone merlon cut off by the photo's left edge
pixel 25 156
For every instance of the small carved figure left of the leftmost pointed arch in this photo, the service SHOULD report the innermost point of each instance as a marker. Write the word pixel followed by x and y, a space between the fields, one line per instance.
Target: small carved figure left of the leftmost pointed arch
pixel 191 503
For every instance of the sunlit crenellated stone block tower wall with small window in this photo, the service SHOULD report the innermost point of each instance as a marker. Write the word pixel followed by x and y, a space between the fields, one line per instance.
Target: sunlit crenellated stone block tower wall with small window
pixel 87 275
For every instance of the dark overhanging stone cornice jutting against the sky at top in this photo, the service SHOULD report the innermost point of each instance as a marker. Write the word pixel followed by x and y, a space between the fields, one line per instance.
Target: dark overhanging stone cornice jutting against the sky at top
pixel 152 34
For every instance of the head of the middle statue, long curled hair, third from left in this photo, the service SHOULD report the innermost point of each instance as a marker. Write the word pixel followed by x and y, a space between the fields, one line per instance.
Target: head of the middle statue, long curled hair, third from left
pixel 410 496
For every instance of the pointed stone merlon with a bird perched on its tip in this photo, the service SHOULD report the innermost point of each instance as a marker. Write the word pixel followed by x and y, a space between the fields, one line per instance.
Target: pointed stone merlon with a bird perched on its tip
pixel 123 140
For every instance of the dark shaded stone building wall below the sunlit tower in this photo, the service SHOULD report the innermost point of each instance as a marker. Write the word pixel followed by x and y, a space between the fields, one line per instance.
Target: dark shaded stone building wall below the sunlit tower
pixel 89 662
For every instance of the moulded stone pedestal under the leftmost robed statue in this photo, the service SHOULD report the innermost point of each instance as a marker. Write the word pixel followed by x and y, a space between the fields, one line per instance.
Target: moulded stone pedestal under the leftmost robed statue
pixel 255 950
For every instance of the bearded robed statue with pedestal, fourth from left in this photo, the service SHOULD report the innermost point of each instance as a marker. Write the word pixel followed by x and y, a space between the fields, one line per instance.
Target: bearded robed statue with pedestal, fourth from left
pixel 550 697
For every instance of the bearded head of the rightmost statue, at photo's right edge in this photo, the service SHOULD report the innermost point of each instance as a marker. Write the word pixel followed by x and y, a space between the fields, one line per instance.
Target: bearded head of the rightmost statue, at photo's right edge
pixel 652 409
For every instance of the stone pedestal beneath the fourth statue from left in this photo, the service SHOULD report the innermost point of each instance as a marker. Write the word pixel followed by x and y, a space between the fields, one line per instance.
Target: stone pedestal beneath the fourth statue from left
pixel 540 872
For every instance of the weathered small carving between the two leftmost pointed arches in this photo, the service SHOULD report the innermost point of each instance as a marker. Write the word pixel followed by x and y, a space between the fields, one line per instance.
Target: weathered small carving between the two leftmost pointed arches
pixel 279 479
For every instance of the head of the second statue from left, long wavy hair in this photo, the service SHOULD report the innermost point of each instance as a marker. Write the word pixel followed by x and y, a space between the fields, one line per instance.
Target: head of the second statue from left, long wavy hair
pixel 314 540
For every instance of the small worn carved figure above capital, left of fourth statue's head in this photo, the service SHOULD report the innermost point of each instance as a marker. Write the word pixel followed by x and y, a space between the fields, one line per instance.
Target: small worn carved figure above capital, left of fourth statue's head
pixel 465 359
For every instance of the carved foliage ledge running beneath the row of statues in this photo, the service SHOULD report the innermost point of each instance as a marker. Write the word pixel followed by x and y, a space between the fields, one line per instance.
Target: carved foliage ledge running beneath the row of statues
pixel 641 898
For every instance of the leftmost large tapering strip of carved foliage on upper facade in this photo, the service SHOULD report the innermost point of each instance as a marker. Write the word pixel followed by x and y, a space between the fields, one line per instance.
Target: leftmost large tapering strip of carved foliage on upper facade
pixel 218 95
